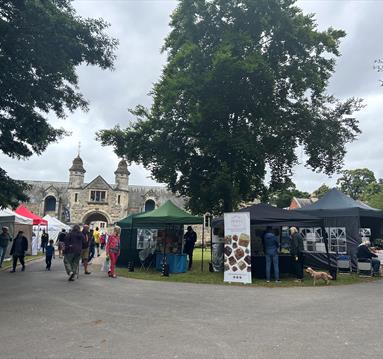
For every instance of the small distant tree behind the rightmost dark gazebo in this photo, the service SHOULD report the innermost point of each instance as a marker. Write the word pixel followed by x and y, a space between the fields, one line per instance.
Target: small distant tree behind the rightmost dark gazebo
pixel 356 182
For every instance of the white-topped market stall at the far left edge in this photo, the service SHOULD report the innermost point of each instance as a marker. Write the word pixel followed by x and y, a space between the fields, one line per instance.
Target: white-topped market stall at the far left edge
pixel 16 223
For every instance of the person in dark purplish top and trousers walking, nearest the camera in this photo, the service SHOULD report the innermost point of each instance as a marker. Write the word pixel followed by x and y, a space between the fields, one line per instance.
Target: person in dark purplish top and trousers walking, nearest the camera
pixel 72 251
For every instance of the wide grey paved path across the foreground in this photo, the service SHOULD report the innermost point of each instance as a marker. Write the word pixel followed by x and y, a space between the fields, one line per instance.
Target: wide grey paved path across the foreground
pixel 42 315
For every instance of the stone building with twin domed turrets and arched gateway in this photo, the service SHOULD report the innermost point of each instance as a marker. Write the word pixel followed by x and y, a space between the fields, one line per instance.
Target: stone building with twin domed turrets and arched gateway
pixel 97 202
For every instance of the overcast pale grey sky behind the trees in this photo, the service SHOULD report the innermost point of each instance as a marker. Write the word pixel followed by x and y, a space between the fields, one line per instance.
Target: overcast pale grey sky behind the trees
pixel 141 26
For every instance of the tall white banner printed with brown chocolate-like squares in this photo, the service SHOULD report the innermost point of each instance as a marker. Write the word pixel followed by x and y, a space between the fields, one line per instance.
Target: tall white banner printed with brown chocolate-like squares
pixel 237 252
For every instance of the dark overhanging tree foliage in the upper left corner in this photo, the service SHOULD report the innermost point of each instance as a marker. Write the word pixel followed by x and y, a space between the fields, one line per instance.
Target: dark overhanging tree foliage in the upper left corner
pixel 41 43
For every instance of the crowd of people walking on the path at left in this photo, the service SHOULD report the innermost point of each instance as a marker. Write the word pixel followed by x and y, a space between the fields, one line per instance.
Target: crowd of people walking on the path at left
pixel 77 244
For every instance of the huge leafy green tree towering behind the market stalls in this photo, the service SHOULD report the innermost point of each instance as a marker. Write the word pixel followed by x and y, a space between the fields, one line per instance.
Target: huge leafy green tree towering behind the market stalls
pixel 244 86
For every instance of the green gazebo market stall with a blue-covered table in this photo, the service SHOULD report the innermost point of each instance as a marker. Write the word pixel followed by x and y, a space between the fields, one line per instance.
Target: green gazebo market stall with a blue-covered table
pixel 160 230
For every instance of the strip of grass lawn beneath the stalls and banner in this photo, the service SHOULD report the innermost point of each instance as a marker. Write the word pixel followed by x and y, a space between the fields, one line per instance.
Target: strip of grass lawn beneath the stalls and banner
pixel 196 276
